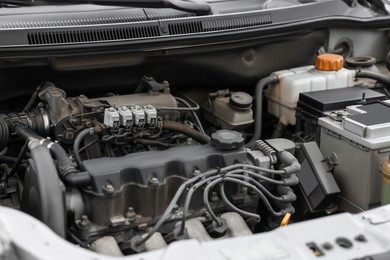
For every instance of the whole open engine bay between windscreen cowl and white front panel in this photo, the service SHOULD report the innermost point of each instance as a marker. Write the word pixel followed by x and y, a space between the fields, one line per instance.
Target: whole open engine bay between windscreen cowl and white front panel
pixel 129 152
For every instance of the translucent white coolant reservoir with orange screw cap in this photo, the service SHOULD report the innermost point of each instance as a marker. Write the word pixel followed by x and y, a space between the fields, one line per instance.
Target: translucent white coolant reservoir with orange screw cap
pixel 328 73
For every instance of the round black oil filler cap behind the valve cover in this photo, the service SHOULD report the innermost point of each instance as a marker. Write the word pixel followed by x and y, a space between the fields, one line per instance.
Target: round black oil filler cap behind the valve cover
pixel 227 140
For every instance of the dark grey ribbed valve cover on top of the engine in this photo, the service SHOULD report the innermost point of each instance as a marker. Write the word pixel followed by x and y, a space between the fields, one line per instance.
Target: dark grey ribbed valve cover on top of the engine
pixel 118 183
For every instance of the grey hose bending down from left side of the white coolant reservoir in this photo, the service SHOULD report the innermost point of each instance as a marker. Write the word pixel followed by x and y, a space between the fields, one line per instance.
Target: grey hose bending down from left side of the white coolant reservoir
pixel 261 84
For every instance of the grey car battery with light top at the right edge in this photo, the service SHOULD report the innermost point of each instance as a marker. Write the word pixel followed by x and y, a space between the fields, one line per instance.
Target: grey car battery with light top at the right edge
pixel 361 142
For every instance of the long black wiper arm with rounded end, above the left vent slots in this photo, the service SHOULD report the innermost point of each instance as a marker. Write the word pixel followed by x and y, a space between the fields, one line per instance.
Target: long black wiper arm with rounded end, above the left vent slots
pixel 200 8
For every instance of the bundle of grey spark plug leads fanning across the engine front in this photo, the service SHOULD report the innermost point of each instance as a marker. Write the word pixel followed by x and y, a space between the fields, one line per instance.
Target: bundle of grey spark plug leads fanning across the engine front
pixel 246 175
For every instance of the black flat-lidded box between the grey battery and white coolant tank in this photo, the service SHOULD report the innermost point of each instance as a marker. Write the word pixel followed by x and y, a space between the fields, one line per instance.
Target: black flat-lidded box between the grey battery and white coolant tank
pixel 313 105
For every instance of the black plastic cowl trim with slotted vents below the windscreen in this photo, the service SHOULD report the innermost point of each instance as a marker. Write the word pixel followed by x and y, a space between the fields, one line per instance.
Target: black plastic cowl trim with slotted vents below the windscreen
pixel 176 35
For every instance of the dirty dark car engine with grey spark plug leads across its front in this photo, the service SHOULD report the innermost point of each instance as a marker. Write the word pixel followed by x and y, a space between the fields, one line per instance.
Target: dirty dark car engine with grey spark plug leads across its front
pixel 140 168
